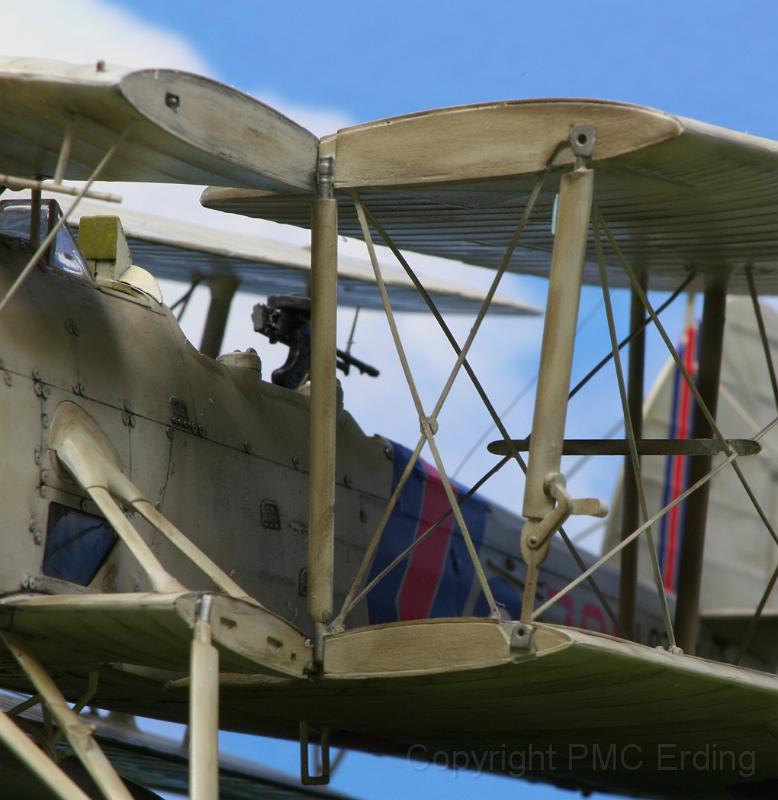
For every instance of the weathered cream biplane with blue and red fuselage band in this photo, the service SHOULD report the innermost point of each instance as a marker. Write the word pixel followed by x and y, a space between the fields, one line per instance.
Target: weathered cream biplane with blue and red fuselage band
pixel 186 541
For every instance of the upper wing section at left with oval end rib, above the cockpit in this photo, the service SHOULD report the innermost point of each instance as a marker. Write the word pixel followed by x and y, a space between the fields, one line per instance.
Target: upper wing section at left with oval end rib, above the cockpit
pixel 181 128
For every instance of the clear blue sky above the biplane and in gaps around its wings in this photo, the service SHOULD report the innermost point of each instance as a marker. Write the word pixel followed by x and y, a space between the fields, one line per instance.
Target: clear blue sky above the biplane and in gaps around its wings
pixel 713 60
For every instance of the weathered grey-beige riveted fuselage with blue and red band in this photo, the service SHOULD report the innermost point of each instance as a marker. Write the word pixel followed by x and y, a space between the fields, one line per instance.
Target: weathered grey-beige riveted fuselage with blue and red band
pixel 224 455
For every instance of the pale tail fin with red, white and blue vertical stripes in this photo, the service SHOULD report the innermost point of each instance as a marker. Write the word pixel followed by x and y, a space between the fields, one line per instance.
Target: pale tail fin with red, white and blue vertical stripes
pixel 740 555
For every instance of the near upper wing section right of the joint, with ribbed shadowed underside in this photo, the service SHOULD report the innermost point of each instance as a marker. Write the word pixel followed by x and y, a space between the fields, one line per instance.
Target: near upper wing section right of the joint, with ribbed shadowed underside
pixel 677 194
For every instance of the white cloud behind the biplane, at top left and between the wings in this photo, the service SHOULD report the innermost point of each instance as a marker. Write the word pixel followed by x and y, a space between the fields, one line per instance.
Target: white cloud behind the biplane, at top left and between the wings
pixel 505 354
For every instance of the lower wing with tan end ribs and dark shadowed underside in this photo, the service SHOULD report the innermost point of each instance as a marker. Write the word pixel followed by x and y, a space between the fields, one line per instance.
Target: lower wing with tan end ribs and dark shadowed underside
pixel 439 686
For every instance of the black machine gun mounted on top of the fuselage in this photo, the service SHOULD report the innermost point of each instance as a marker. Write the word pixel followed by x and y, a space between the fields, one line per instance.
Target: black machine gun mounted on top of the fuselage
pixel 286 318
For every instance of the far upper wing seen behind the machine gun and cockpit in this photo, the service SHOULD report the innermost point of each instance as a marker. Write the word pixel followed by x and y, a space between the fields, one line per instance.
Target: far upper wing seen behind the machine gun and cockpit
pixel 180 251
